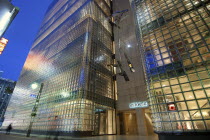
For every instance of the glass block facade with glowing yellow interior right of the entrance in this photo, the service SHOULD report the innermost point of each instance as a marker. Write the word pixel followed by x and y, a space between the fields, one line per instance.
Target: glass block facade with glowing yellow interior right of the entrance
pixel 175 44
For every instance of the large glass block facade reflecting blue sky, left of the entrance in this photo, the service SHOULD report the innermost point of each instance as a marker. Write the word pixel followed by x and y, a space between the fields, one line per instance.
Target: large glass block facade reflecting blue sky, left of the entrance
pixel 69 57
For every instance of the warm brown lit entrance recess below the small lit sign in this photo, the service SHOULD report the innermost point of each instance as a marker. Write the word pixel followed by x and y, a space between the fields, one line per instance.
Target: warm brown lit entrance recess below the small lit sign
pixel 135 122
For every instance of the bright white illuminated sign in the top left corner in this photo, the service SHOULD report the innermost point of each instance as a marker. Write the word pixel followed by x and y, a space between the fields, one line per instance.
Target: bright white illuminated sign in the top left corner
pixel 7 14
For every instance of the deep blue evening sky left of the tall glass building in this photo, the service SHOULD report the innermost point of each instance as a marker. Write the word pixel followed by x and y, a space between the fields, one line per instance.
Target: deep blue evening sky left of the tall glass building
pixel 21 35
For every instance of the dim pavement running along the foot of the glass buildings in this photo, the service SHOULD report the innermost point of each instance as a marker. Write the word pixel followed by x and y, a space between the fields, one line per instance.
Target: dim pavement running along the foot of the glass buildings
pixel 18 137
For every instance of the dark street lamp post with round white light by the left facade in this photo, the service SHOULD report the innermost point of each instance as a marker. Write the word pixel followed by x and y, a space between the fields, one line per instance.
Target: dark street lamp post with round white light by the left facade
pixel 35 108
